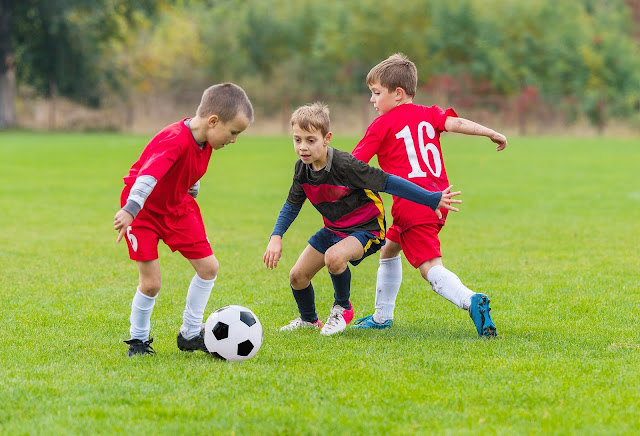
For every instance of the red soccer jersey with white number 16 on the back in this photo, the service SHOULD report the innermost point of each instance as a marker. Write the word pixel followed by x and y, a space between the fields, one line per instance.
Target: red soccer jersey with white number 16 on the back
pixel 407 142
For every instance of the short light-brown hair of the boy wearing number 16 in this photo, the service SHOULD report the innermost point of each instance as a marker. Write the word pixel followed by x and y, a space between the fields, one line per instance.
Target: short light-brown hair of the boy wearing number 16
pixel 397 71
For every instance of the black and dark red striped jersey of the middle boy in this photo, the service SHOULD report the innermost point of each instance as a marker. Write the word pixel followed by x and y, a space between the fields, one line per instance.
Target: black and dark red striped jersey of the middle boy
pixel 345 192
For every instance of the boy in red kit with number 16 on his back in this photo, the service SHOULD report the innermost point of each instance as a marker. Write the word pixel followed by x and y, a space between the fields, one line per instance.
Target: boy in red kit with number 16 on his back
pixel 406 139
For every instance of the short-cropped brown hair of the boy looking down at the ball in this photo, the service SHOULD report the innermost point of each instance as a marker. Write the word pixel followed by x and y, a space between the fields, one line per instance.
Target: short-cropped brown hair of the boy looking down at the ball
pixel 225 100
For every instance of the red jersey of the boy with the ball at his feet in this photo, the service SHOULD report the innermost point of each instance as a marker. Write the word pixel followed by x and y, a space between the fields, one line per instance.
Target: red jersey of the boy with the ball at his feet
pixel 175 160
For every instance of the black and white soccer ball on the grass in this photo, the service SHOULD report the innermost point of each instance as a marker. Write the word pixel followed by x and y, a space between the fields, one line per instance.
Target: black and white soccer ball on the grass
pixel 233 333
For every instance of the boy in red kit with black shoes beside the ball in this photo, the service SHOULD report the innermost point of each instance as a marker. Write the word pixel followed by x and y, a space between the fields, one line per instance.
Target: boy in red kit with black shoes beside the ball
pixel 158 202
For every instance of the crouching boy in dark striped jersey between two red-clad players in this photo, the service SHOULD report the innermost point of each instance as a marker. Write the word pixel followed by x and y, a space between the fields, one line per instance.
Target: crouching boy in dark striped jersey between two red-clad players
pixel 345 191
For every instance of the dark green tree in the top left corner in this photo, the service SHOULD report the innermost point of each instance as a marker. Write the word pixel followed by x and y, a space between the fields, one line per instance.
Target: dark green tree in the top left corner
pixel 56 47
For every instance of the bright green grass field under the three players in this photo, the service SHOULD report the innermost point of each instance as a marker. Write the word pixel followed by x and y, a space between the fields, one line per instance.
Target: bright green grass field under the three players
pixel 549 229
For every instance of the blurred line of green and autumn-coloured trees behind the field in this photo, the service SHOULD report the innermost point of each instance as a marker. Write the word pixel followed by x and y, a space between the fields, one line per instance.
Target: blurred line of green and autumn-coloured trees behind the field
pixel 579 56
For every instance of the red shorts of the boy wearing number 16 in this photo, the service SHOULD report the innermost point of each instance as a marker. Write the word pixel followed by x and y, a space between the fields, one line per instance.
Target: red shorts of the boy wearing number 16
pixel 419 243
